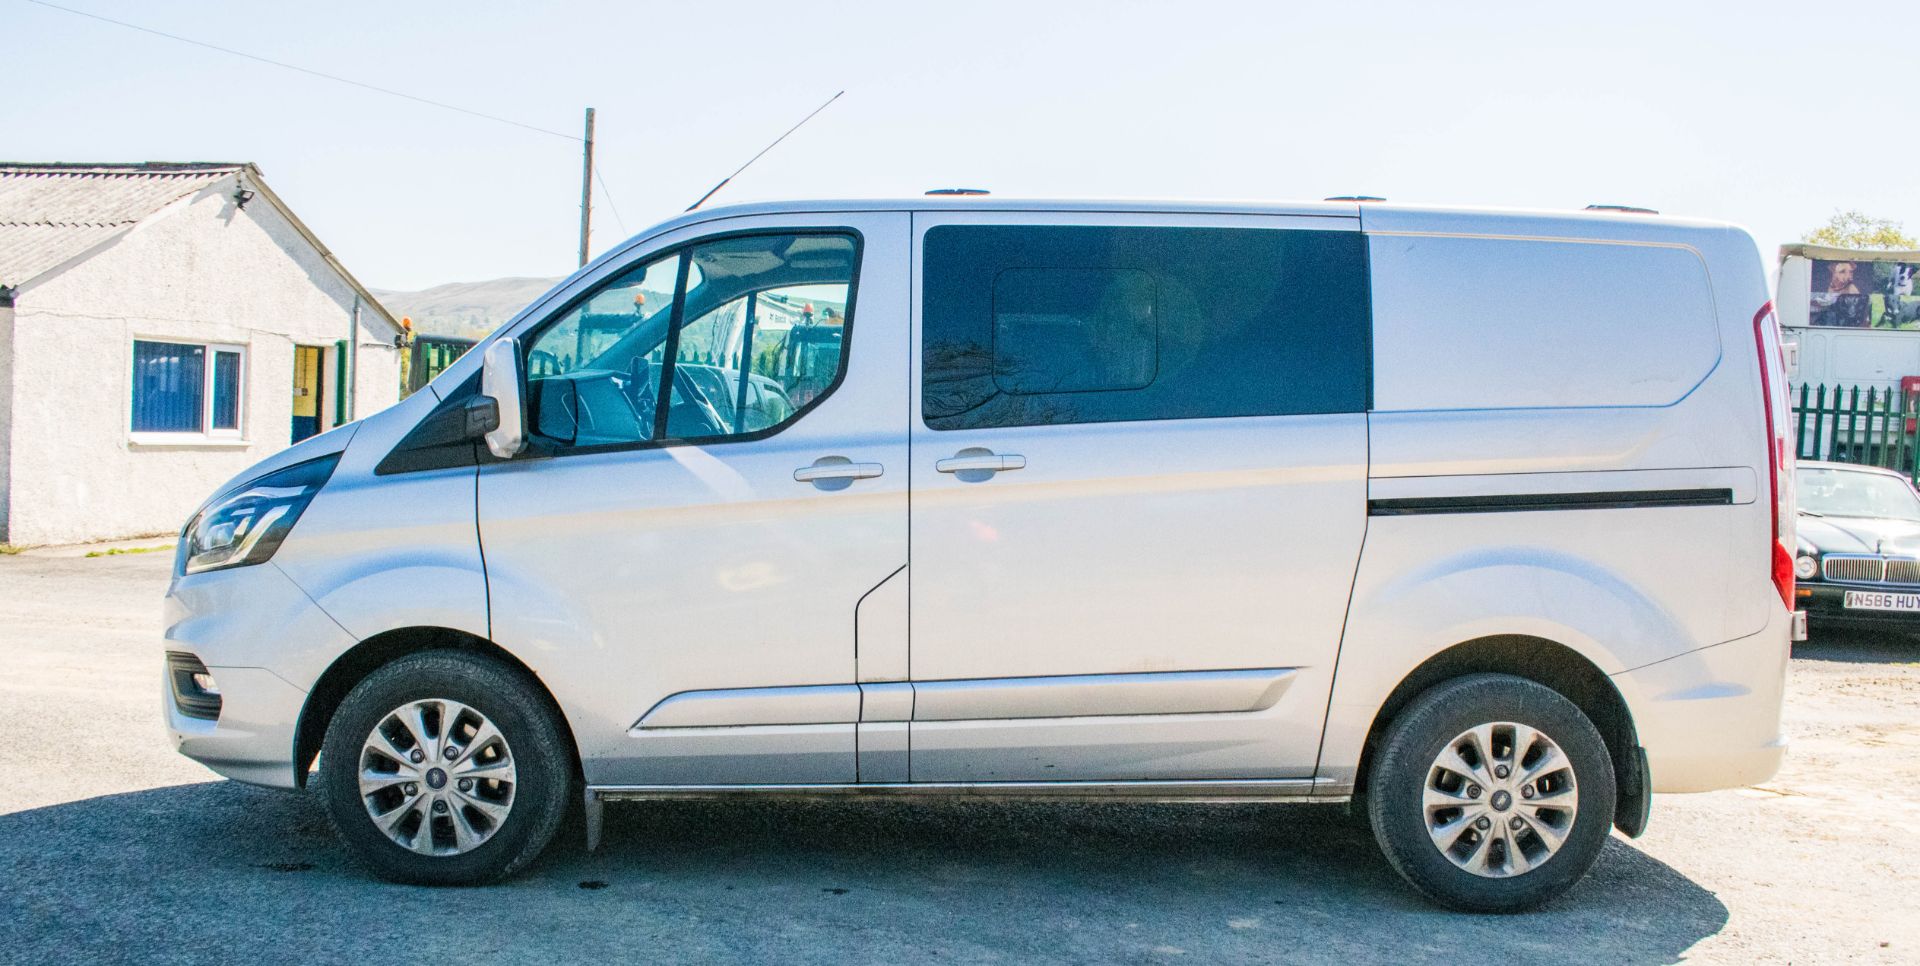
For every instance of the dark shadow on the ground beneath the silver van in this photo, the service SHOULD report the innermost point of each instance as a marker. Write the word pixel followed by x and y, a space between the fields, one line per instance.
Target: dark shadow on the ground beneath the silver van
pixel 224 871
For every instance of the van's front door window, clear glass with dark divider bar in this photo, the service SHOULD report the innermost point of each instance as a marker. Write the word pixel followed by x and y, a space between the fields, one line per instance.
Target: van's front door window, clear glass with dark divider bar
pixel 738 335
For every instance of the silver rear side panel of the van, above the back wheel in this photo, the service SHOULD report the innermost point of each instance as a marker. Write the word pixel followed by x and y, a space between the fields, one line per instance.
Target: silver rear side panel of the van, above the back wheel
pixel 1568 445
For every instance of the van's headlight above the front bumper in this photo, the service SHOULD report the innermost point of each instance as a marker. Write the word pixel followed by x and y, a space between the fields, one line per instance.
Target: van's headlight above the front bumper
pixel 249 523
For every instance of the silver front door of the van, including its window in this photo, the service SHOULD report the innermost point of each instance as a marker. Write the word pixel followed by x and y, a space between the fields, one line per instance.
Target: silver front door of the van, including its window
pixel 715 477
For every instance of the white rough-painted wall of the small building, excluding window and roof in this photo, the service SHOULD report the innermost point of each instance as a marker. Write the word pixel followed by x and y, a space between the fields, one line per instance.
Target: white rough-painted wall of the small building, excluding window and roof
pixel 201 272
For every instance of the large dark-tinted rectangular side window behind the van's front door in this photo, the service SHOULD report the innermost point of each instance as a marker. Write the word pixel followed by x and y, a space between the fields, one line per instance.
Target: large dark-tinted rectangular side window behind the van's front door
pixel 1042 326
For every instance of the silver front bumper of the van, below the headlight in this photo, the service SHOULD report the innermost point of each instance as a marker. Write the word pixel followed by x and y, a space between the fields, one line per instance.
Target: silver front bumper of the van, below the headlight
pixel 251 627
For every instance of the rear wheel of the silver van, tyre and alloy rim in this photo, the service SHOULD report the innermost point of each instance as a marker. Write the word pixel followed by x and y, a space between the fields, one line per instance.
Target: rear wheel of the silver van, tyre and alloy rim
pixel 1491 794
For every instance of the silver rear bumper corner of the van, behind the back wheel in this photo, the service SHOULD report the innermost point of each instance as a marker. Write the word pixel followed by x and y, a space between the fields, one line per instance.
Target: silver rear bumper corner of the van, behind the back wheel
pixel 1712 719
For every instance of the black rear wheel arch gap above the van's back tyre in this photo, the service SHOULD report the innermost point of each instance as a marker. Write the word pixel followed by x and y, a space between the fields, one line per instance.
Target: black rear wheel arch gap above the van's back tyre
pixel 1552 665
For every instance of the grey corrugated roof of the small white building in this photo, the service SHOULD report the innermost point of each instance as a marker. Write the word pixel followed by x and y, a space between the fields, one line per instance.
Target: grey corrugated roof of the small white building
pixel 51 214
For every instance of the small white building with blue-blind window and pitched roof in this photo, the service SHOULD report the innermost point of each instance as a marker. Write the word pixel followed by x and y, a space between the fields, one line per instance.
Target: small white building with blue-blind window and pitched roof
pixel 162 327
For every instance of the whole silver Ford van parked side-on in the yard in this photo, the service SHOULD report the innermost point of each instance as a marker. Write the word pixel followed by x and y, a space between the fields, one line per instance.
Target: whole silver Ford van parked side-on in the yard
pixel 1477 521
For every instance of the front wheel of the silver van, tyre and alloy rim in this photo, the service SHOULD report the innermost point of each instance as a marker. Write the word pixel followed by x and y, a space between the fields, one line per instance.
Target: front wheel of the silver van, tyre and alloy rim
pixel 446 769
